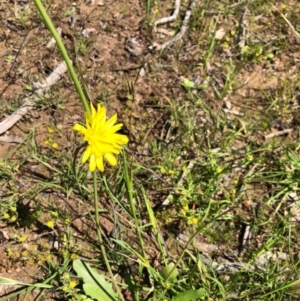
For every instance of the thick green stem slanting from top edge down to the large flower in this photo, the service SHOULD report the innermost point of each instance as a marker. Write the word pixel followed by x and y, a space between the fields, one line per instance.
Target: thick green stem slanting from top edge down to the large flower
pixel 64 54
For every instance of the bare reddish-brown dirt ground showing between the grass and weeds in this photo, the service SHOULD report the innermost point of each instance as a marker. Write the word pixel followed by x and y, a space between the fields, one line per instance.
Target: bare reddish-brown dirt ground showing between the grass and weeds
pixel 139 88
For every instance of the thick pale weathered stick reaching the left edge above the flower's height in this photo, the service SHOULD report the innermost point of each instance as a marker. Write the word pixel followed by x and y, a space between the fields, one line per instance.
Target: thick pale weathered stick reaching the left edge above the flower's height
pixel 29 101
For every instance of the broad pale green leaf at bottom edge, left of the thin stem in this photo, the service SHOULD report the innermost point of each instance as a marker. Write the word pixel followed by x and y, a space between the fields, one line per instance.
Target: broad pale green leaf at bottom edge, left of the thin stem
pixel 95 285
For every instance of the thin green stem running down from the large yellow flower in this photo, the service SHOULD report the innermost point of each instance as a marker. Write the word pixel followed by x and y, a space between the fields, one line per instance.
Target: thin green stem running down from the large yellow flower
pixel 99 234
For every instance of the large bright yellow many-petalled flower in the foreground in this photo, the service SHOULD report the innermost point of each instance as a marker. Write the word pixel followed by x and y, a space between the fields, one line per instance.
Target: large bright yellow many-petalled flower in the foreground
pixel 102 139
